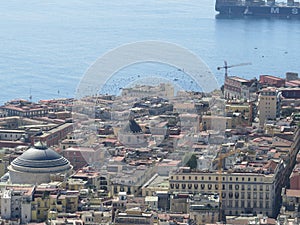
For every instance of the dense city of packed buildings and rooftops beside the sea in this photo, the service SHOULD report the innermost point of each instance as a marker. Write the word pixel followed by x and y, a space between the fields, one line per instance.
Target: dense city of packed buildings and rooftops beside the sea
pixel 149 157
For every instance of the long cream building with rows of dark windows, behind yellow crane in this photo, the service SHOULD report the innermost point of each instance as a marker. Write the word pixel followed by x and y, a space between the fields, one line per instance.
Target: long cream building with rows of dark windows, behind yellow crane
pixel 240 192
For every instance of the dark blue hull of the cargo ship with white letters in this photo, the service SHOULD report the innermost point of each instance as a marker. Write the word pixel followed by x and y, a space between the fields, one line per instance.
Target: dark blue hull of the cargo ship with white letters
pixel 273 11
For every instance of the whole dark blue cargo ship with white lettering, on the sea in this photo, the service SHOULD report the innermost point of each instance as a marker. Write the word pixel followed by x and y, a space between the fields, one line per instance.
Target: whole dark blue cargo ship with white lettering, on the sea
pixel 262 8
